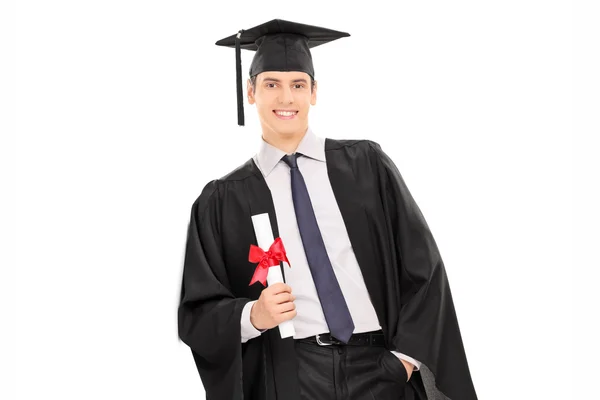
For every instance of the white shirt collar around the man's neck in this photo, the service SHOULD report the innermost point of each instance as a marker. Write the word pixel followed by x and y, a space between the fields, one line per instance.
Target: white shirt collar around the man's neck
pixel 310 146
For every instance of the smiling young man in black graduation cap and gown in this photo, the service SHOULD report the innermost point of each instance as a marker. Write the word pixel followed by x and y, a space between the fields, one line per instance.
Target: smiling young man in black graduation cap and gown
pixel 367 290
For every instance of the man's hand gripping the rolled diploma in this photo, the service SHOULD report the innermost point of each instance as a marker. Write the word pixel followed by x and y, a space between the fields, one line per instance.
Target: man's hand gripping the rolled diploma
pixel 274 306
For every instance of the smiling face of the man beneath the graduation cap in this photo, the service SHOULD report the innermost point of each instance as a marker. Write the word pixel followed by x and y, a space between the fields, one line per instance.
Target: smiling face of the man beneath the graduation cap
pixel 282 100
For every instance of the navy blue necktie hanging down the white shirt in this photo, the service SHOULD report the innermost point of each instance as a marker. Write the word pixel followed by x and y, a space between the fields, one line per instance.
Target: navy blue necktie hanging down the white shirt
pixel 332 300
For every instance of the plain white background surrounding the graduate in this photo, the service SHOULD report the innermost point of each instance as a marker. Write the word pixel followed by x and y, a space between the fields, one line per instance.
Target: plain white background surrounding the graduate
pixel 125 109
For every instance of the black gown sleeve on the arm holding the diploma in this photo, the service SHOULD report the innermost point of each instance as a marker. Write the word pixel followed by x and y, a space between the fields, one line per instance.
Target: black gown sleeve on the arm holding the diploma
pixel 208 313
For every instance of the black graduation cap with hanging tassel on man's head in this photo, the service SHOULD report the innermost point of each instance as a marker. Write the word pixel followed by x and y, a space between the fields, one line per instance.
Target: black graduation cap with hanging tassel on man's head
pixel 280 46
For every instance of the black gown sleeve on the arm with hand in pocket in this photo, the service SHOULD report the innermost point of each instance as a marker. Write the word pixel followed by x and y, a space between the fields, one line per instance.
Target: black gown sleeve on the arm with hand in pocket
pixel 427 328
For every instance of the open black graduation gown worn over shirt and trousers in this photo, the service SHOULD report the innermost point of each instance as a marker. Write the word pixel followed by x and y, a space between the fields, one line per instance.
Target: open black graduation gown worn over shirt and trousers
pixel 403 271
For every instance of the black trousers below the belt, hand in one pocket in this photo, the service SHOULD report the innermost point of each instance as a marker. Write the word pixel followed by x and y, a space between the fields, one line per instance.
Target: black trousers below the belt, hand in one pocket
pixel 341 372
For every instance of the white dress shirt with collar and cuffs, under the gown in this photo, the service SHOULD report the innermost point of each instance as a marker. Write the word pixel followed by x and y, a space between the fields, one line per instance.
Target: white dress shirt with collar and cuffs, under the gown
pixel 310 320
